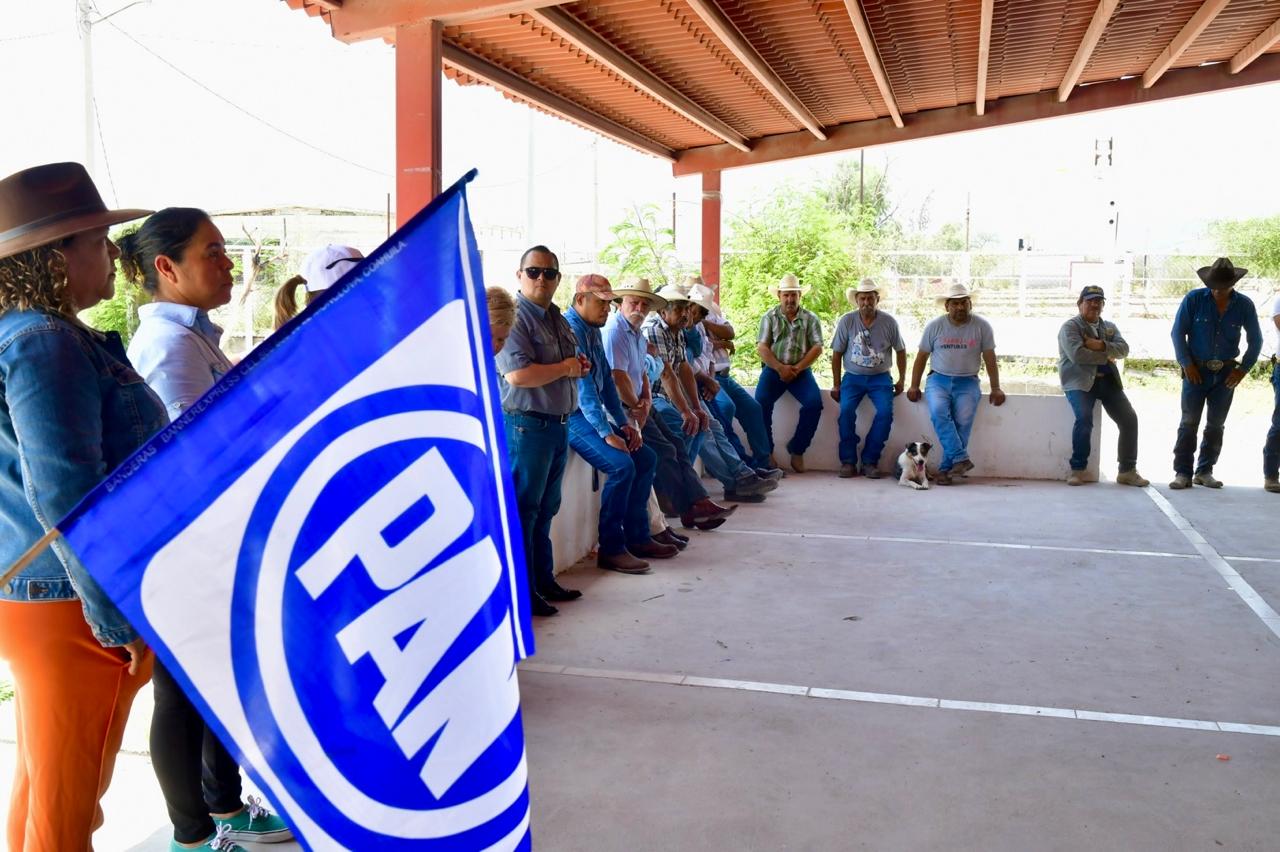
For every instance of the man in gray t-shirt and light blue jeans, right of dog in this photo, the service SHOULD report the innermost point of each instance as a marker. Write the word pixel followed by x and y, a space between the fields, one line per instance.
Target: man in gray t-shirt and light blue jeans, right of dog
pixel 961 342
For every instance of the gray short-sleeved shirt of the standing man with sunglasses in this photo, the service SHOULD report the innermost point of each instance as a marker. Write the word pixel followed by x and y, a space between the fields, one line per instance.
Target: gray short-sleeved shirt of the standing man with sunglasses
pixel 540 336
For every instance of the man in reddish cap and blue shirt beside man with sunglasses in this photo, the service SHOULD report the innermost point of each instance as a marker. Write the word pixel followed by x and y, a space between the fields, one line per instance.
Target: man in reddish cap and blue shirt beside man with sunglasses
pixel 602 433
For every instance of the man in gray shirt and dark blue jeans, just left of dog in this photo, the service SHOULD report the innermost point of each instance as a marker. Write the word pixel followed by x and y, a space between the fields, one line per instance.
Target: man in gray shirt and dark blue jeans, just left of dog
pixel 863 343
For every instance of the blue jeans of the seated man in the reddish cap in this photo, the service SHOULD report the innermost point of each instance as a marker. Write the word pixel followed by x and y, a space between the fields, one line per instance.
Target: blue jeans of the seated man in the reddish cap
pixel 625 497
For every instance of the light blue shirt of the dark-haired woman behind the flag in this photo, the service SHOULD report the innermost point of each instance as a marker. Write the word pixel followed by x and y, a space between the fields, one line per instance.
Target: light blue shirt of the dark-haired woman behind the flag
pixel 176 350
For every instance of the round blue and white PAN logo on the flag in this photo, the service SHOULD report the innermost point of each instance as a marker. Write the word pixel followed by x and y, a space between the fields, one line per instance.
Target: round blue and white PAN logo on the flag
pixel 385 616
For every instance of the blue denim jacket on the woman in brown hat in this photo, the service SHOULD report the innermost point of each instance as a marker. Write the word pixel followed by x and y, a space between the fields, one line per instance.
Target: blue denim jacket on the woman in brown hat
pixel 71 410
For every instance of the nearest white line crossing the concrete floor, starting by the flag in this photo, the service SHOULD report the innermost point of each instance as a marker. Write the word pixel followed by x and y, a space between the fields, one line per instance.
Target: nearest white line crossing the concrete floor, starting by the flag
pixel 903 700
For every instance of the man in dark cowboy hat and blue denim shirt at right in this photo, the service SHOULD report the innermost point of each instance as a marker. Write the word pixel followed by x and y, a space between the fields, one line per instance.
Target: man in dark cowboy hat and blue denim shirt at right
pixel 1208 345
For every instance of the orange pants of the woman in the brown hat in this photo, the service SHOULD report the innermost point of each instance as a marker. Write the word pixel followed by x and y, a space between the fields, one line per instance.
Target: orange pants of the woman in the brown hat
pixel 74 698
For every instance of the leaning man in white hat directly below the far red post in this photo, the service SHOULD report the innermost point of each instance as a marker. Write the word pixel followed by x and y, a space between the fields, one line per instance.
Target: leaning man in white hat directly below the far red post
pixel 733 401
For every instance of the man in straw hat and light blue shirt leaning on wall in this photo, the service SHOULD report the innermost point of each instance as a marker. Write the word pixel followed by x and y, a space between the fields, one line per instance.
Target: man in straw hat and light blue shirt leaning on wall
pixel 625 349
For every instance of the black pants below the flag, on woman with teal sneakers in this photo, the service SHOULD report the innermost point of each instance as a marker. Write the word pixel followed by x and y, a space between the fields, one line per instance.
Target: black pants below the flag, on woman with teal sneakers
pixel 196 775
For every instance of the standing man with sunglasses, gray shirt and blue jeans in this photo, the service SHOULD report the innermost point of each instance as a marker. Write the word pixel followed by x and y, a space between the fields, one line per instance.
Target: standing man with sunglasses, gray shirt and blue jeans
pixel 540 367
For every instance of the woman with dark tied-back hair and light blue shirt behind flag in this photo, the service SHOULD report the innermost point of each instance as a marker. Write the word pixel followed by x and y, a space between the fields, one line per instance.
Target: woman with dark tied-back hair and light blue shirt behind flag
pixel 180 258
